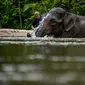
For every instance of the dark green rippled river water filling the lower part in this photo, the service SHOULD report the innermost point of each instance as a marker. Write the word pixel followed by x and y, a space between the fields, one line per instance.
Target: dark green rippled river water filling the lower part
pixel 42 61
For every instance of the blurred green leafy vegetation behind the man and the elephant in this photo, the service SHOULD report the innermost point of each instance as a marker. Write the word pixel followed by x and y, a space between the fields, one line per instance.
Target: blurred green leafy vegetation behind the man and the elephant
pixel 18 14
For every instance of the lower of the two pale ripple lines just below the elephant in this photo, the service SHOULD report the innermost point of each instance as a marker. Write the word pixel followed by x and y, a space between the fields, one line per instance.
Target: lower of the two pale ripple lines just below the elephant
pixel 41 43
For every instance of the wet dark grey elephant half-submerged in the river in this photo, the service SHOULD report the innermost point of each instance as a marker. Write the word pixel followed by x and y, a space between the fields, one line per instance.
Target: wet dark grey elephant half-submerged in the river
pixel 59 23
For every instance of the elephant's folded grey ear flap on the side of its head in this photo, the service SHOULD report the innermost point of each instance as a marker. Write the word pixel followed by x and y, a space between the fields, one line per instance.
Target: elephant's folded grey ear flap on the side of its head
pixel 69 21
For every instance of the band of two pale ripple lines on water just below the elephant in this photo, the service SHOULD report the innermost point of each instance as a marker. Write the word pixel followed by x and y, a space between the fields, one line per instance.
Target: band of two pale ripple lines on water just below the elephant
pixel 42 41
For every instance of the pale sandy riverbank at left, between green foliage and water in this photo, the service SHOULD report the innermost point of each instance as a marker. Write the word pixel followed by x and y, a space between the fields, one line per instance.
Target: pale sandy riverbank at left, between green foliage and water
pixel 14 32
